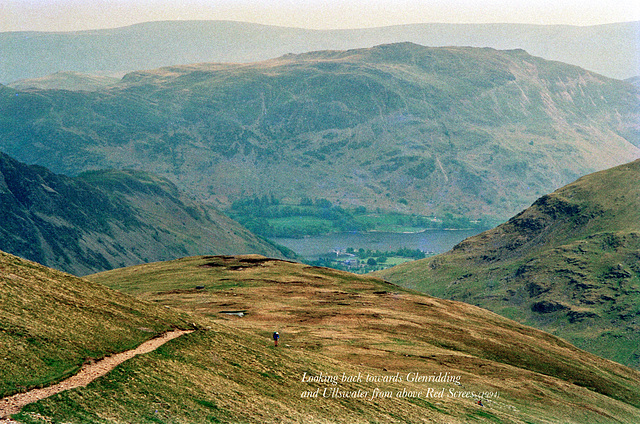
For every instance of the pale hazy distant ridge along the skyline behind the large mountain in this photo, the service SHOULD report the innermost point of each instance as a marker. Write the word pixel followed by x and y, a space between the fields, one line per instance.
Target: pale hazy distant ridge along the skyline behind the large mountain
pixel 611 50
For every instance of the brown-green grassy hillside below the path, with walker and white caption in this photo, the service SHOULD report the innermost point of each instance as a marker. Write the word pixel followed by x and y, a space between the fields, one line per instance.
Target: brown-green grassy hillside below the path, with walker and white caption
pixel 333 322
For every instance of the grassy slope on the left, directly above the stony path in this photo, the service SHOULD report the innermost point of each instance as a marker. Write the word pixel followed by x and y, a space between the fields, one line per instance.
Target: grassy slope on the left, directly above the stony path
pixel 51 323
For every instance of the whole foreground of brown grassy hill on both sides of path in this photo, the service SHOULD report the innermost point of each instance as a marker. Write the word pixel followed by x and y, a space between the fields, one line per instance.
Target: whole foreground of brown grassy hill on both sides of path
pixel 333 324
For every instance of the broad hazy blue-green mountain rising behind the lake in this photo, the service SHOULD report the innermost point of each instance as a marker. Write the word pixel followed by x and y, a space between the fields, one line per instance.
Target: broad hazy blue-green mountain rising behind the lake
pixel 427 130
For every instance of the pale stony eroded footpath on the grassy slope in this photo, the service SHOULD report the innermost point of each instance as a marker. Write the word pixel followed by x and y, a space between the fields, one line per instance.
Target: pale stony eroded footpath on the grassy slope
pixel 88 373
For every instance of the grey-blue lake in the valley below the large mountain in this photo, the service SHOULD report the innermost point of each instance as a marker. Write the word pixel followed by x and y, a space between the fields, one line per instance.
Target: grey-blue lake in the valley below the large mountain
pixel 436 241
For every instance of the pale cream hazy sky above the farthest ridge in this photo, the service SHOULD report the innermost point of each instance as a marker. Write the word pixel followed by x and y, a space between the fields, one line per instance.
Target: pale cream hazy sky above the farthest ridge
pixel 69 15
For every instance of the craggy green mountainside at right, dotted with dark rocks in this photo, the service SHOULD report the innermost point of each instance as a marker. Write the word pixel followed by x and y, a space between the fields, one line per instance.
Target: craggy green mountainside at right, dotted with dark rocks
pixel 569 264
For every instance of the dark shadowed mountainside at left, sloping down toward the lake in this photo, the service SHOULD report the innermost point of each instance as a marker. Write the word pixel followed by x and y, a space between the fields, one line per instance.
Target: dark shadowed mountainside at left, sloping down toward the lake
pixel 107 219
